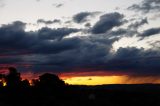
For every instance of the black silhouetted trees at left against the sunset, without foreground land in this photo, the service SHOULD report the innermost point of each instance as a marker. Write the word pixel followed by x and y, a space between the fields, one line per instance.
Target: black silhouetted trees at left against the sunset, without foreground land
pixel 46 81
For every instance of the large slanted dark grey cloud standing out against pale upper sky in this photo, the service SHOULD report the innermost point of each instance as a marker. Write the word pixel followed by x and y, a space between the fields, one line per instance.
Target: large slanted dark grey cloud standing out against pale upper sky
pixel 107 22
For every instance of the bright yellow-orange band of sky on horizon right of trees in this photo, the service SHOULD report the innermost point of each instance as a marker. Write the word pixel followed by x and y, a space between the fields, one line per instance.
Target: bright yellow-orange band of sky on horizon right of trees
pixel 100 80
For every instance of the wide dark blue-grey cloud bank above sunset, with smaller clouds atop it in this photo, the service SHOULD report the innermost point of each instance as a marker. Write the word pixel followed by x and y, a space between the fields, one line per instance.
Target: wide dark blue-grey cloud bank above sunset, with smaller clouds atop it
pixel 50 49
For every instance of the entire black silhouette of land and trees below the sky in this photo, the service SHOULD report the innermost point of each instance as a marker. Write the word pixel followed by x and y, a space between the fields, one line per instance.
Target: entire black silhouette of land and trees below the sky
pixel 50 90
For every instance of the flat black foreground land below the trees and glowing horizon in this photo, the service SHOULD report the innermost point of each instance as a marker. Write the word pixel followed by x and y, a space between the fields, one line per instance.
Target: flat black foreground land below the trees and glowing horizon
pixel 106 95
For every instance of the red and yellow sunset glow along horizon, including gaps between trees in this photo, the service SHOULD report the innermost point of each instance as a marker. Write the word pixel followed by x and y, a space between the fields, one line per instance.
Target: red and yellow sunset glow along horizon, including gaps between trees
pixel 95 78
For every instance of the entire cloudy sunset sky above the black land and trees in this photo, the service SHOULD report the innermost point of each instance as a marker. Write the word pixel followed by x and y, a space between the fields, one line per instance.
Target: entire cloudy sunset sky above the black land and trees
pixel 86 42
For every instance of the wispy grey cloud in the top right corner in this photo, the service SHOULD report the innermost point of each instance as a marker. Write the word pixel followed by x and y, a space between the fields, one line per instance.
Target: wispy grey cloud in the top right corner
pixel 146 6
